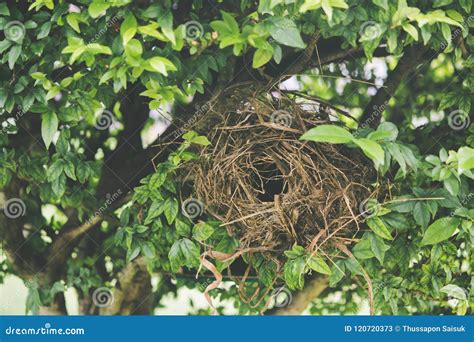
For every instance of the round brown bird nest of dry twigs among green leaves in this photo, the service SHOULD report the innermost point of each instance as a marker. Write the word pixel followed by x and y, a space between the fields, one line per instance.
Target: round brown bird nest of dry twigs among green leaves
pixel 270 189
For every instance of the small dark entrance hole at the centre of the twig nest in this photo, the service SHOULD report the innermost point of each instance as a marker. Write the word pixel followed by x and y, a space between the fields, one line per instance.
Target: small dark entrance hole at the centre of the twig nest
pixel 268 182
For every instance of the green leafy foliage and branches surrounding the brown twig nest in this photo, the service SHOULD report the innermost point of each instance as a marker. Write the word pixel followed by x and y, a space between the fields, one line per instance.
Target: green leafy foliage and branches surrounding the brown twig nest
pixel 68 133
